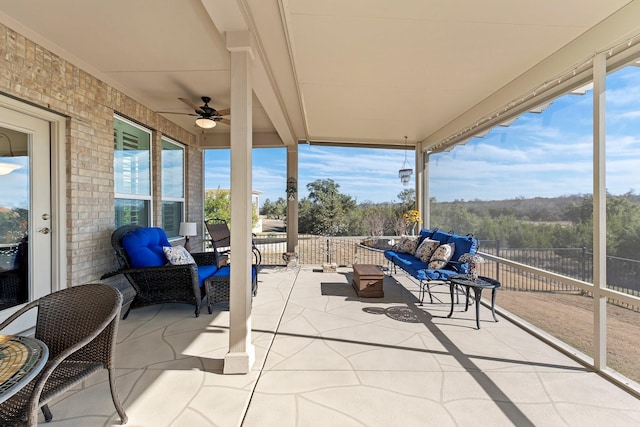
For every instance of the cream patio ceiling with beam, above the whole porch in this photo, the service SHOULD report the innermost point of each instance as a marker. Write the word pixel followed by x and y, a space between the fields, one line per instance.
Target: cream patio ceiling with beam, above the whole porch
pixel 364 71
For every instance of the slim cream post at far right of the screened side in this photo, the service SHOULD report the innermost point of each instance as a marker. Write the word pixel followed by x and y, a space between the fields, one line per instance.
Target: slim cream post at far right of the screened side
pixel 599 213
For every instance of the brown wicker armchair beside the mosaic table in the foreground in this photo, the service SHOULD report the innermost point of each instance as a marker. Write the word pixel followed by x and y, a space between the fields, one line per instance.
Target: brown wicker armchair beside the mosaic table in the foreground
pixel 79 325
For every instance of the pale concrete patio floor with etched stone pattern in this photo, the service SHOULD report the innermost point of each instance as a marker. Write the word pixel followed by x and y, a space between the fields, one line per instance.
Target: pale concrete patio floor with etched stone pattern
pixel 325 357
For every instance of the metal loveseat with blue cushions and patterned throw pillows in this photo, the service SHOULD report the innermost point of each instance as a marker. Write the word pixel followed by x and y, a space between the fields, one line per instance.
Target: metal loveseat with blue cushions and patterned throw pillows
pixel 431 257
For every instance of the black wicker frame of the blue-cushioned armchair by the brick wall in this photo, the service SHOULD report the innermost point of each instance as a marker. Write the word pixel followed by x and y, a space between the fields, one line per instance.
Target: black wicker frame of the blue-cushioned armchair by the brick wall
pixel 164 284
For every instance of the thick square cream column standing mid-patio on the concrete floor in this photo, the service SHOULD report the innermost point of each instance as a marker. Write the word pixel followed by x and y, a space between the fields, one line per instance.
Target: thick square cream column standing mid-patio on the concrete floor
pixel 241 355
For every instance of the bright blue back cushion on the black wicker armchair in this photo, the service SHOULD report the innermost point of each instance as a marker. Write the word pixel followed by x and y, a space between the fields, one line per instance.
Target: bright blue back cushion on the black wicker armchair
pixel 144 247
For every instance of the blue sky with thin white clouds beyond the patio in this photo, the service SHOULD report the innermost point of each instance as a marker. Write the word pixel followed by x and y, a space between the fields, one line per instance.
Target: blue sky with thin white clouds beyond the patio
pixel 539 155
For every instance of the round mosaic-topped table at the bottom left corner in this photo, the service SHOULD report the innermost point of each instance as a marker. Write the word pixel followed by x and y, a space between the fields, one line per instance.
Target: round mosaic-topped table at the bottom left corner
pixel 21 359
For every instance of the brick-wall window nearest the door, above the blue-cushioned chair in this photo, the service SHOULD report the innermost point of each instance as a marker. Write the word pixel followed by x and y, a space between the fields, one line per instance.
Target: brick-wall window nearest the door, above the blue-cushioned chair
pixel 132 173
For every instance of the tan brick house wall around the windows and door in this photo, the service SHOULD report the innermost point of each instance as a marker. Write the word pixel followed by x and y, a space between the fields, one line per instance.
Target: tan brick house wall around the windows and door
pixel 37 76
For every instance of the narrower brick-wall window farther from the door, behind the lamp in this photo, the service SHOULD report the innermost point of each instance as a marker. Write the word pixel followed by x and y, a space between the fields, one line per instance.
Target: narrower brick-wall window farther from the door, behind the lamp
pixel 172 186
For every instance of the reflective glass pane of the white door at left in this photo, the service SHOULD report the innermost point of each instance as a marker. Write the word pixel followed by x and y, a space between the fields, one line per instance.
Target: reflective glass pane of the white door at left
pixel 14 217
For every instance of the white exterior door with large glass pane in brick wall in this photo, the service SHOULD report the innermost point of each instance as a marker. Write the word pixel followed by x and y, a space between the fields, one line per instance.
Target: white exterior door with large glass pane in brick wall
pixel 25 209
